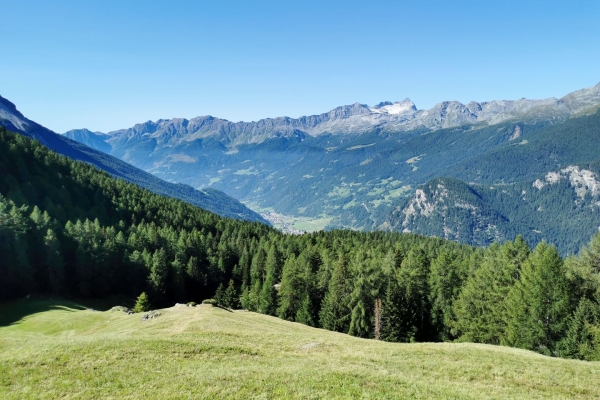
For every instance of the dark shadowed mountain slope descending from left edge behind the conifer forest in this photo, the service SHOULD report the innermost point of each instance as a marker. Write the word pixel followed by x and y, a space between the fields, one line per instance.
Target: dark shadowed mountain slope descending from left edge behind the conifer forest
pixel 210 199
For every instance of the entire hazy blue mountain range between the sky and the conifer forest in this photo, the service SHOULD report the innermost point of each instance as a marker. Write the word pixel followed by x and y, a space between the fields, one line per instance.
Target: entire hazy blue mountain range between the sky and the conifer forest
pixel 374 167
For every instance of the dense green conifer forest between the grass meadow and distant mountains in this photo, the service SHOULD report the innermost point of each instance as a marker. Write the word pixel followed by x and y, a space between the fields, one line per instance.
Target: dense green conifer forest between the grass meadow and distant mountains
pixel 69 229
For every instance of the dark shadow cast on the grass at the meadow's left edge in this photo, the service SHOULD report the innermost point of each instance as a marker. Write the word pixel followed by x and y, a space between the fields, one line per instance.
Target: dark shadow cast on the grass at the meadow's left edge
pixel 14 311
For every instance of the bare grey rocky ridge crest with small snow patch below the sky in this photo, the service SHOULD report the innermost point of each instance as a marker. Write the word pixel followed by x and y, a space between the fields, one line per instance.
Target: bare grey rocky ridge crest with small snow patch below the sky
pixel 351 119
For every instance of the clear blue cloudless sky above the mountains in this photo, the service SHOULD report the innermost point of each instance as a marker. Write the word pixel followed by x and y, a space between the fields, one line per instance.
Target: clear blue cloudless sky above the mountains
pixel 106 65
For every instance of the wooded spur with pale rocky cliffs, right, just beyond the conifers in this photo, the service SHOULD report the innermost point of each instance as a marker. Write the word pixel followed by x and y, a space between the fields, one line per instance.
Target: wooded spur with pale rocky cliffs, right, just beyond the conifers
pixel 562 207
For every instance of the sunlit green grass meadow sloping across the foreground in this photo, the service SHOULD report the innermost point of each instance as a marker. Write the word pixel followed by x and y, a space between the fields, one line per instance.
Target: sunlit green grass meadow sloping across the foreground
pixel 55 349
